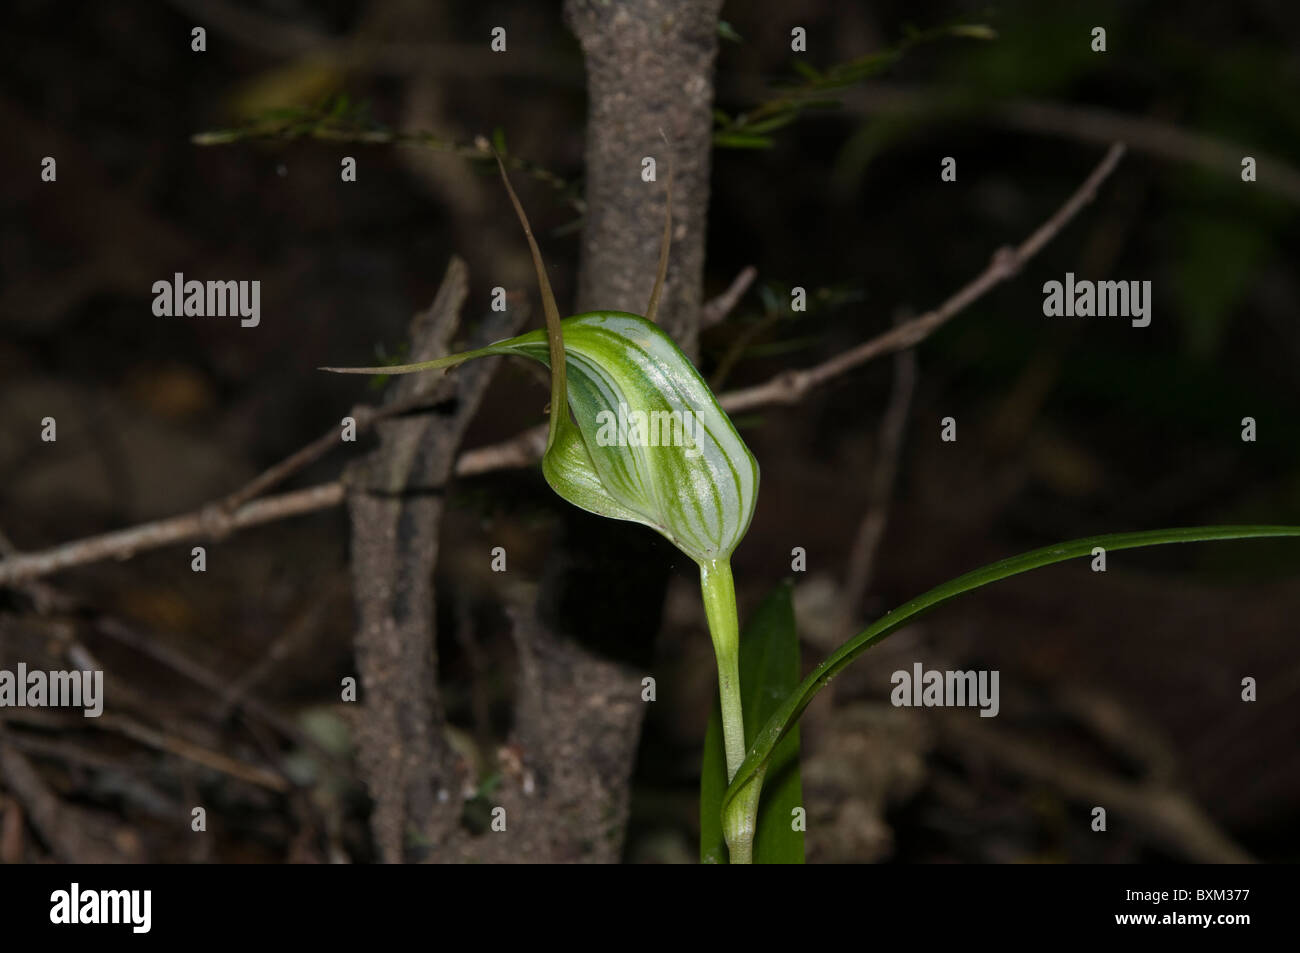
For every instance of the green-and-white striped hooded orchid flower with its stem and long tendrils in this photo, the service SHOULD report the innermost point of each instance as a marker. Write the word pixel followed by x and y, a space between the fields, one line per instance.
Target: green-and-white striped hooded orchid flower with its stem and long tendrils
pixel 636 435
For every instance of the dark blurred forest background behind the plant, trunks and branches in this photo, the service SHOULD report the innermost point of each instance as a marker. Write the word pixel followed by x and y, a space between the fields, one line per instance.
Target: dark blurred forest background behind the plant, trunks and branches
pixel 1121 686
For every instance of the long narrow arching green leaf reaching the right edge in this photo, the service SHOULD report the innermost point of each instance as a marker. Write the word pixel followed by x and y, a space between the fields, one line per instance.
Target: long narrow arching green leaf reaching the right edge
pixel 761 752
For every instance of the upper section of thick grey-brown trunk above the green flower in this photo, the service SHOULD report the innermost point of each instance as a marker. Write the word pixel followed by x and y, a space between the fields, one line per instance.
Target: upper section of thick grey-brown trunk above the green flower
pixel 651 68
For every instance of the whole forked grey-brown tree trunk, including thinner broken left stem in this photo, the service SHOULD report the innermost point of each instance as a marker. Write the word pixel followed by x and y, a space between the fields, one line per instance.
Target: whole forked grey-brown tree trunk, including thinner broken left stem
pixel 578 708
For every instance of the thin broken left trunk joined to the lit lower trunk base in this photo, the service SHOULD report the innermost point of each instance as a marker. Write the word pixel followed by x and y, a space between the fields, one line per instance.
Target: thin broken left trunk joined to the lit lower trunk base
pixel 565 776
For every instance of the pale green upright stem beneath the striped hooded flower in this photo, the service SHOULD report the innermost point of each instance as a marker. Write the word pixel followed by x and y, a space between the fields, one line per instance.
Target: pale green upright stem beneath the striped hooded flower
pixel 720 594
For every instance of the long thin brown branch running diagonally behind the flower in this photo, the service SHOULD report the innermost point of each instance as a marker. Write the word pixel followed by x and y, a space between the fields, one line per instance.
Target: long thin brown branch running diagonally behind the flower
pixel 787 388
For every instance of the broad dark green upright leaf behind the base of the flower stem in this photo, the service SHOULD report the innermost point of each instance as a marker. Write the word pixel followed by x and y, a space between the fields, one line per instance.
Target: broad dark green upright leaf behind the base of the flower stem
pixel 769 673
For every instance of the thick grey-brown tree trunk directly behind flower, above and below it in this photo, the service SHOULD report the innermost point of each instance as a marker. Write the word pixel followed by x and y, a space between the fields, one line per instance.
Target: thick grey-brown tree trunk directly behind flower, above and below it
pixel 579 711
